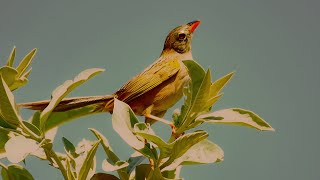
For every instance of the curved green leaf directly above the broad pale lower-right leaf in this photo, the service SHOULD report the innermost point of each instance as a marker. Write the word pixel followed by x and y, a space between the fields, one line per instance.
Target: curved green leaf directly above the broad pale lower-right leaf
pixel 183 144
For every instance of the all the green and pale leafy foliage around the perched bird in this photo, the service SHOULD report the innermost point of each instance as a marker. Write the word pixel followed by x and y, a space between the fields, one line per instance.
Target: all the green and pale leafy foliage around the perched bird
pixel 20 138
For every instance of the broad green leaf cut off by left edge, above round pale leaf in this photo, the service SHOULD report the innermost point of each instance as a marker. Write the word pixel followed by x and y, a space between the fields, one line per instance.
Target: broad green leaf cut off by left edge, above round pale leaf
pixel 7 105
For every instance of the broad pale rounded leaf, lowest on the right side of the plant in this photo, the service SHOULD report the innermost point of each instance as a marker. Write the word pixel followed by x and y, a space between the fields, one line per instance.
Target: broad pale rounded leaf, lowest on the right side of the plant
pixel 204 152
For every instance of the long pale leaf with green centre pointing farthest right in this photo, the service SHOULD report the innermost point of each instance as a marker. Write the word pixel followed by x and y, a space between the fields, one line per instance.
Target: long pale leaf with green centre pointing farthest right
pixel 236 116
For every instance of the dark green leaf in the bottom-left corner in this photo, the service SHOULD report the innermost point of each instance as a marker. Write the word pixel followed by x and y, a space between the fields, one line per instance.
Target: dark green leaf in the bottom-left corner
pixel 16 172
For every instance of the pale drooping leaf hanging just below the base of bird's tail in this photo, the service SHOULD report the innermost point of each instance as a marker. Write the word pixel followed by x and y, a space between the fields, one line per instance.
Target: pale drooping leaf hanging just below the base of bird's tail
pixel 123 120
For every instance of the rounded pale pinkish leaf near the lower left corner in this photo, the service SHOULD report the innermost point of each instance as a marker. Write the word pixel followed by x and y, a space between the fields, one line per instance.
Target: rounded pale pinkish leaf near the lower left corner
pixel 18 148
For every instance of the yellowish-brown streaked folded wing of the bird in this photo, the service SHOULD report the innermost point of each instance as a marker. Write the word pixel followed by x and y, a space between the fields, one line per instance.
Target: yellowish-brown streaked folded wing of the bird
pixel 152 76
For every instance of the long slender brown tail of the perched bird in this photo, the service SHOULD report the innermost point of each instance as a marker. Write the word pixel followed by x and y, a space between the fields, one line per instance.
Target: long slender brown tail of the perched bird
pixel 104 103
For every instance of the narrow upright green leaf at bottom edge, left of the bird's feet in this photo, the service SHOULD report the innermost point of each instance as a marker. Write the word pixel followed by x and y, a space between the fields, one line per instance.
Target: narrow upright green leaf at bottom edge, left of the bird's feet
pixel 88 162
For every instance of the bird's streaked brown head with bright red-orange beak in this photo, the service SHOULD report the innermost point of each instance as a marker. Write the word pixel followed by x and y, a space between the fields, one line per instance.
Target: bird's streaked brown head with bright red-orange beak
pixel 179 39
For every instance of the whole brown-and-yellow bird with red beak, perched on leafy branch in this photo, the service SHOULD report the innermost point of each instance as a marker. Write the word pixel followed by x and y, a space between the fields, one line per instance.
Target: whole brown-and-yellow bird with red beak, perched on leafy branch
pixel 150 93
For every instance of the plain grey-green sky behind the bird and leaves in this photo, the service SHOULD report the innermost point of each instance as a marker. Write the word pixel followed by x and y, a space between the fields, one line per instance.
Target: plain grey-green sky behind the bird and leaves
pixel 272 45
